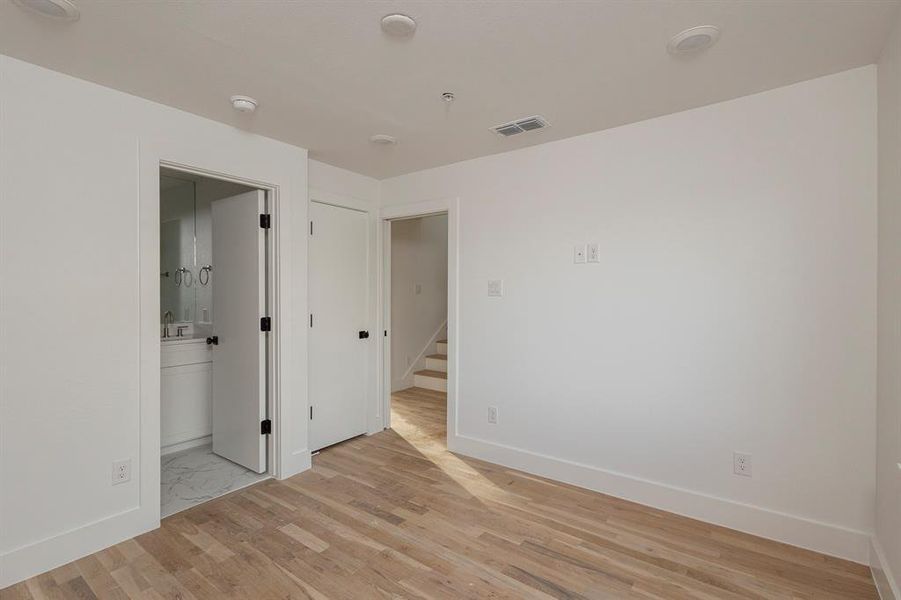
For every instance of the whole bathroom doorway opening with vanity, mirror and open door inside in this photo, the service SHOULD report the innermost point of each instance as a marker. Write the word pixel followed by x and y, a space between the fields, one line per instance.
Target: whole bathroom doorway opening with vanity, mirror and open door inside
pixel 214 346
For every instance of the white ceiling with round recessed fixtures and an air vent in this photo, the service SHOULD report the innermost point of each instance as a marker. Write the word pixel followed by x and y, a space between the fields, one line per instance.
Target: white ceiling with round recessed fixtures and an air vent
pixel 327 77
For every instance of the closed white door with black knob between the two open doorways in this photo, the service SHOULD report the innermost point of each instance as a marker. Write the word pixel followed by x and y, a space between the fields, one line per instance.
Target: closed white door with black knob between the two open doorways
pixel 337 279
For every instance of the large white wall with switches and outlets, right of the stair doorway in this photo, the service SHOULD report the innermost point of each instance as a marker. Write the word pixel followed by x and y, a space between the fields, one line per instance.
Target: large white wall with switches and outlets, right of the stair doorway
pixel 733 309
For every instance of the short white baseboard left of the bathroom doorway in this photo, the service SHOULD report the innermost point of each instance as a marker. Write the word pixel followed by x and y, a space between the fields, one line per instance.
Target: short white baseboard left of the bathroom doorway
pixel 41 556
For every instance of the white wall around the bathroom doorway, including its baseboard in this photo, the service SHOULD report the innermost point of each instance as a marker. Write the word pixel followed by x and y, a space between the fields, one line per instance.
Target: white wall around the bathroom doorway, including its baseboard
pixel 79 347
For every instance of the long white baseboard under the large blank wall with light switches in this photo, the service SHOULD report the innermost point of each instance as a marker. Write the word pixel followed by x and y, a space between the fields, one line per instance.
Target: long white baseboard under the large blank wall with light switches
pixel 827 538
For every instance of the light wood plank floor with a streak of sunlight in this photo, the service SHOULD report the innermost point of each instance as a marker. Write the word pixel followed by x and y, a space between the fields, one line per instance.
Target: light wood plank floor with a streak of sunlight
pixel 395 515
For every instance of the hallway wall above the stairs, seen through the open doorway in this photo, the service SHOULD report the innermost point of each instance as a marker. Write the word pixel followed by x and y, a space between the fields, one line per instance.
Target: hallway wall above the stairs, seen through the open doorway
pixel 418 293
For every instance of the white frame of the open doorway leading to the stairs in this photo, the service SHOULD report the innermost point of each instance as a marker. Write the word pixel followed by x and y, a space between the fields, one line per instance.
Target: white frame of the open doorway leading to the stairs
pixel 450 207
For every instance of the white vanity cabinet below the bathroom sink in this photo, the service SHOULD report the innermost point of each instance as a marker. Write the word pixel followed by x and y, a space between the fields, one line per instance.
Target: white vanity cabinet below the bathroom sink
pixel 186 394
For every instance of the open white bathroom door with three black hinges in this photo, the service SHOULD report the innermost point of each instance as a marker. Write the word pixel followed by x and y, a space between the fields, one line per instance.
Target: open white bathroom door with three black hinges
pixel 239 357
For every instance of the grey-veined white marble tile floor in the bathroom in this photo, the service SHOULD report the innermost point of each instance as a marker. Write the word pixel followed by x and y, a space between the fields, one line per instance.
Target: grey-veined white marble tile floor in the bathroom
pixel 193 476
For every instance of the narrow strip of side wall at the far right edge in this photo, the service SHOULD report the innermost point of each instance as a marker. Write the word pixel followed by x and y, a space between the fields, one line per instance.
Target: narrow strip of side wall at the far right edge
pixel 888 459
